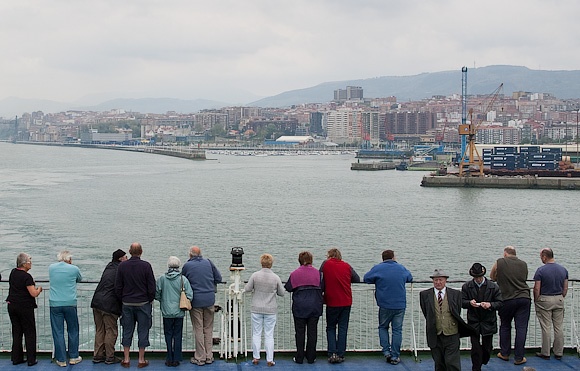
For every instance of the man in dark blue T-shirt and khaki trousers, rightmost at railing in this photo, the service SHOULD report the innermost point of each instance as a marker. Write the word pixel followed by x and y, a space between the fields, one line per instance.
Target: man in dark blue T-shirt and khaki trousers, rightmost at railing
pixel 550 288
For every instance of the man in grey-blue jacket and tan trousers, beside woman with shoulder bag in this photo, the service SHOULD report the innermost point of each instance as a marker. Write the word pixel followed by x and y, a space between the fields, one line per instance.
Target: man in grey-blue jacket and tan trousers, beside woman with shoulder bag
pixel 203 277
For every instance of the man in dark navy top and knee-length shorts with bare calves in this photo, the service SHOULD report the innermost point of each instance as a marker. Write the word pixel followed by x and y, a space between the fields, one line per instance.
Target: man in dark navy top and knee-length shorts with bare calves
pixel 135 286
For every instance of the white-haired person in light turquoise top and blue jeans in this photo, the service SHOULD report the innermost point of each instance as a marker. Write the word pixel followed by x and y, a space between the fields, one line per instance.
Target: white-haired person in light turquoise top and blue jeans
pixel 63 278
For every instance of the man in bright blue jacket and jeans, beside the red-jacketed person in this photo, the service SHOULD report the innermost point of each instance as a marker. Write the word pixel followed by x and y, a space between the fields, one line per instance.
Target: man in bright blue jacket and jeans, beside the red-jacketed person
pixel 390 278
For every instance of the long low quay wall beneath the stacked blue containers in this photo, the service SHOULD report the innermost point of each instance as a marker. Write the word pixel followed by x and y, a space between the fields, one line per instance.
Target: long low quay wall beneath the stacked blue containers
pixel 521 182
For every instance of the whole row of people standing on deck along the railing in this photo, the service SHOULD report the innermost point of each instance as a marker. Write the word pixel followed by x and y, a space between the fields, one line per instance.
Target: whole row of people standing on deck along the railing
pixel 127 289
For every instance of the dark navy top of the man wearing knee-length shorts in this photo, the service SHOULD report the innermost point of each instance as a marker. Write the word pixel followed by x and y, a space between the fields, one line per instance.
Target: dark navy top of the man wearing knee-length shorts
pixel 135 281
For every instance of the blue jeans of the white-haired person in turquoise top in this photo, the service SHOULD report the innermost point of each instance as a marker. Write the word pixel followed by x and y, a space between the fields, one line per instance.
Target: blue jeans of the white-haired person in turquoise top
pixel 58 316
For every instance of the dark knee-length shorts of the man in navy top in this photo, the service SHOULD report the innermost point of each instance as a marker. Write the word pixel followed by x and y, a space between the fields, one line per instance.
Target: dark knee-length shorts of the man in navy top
pixel 140 315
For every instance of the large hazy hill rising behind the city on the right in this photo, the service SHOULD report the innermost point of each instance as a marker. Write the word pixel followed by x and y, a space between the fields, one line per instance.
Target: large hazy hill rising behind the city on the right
pixel 483 80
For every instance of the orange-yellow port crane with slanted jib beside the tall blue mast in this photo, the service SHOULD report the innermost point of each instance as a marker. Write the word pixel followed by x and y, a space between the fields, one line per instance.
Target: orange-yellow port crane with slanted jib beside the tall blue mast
pixel 467 131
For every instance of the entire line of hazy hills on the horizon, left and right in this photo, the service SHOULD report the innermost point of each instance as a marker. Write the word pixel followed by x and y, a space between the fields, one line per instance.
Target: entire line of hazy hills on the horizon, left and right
pixel 483 80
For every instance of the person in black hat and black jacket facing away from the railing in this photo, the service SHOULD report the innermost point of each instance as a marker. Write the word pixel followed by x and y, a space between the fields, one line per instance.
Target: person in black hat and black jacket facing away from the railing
pixel 482 299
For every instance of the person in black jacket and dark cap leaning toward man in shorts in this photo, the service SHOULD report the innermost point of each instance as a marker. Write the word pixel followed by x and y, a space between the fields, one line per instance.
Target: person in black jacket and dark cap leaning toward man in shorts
pixel 106 311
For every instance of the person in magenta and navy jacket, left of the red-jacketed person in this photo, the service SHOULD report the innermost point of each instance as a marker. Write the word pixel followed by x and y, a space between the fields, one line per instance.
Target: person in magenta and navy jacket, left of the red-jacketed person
pixel 305 284
